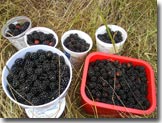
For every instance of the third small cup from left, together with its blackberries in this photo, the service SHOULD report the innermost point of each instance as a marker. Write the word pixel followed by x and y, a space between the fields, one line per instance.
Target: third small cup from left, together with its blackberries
pixel 76 44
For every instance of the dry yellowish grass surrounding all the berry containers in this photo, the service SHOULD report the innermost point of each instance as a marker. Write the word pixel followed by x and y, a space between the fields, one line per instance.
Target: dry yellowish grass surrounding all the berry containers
pixel 138 17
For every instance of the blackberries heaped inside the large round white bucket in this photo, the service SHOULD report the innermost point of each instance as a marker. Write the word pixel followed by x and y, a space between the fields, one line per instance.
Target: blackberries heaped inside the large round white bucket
pixel 38 78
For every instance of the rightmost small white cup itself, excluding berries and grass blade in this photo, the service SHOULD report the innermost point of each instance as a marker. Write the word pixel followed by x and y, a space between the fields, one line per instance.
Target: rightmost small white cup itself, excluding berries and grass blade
pixel 107 47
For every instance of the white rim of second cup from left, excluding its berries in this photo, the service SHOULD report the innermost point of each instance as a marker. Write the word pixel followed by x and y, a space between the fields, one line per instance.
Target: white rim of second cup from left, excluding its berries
pixel 41 29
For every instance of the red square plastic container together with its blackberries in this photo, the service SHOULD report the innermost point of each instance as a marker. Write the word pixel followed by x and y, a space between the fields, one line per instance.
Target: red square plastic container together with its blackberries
pixel 115 85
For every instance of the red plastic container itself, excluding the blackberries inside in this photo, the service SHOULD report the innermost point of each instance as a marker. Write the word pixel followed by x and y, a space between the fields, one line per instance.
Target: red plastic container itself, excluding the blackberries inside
pixel 100 108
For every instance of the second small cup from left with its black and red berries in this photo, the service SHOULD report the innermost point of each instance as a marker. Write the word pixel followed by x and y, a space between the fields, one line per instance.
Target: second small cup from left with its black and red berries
pixel 41 36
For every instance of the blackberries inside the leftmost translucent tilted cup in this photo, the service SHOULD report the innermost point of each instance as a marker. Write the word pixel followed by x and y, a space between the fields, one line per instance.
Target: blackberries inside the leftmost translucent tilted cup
pixel 16 29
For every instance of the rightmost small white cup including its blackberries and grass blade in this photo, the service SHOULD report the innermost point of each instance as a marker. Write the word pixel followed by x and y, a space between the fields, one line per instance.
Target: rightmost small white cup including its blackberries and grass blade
pixel 111 42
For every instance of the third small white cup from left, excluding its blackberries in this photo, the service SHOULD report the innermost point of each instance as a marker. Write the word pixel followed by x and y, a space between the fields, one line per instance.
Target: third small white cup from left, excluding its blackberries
pixel 76 58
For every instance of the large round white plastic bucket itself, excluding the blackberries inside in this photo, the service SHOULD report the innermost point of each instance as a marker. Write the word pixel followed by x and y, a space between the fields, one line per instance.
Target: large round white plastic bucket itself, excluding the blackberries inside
pixel 53 109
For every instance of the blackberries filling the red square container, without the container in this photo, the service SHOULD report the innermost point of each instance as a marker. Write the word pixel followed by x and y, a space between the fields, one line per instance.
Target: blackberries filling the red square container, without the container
pixel 117 83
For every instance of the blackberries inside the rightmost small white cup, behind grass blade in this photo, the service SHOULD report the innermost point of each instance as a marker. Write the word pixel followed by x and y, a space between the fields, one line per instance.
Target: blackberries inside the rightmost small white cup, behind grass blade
pixel 117 36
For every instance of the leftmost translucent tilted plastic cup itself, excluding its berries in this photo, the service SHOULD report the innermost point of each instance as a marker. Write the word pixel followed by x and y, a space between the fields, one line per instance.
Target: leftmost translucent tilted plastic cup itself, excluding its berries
pixel 17 41
